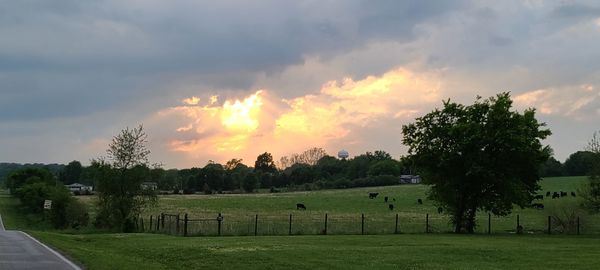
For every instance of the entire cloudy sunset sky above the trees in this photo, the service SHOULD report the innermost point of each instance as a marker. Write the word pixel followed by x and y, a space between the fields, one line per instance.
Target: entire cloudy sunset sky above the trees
pixel 216 80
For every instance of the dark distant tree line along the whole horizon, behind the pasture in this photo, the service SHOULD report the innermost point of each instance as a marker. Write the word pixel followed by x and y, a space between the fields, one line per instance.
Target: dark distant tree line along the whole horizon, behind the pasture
pixel 295 170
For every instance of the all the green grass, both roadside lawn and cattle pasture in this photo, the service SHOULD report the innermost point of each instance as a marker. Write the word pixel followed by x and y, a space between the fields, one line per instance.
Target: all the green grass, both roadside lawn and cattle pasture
pixel 501 250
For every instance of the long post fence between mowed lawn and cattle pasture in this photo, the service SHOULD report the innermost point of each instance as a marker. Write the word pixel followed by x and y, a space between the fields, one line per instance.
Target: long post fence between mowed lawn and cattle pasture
pixel 339 224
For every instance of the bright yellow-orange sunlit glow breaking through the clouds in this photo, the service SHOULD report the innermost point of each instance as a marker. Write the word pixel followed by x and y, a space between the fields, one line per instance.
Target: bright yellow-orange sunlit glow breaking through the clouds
pixel 246 127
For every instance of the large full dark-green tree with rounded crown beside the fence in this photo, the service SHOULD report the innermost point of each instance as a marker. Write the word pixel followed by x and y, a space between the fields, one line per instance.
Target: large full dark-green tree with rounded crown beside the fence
pixel 483 156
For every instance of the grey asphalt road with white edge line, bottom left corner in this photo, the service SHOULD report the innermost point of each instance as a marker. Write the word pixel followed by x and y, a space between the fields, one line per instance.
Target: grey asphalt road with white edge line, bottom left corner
pixel 18 250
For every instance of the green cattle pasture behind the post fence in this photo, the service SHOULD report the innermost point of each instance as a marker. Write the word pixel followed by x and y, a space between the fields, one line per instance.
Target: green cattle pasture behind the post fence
pixel 345 207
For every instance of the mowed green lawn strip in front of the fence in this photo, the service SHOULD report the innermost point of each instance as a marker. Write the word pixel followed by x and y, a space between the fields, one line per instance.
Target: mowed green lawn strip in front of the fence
pixel 150 251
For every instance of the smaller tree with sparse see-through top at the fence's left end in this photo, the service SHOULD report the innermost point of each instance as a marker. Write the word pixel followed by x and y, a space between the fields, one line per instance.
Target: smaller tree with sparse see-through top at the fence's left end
pixel 121 197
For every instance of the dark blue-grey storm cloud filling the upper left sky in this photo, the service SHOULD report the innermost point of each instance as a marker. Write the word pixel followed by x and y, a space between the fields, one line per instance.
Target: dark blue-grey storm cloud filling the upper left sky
pixel 83 56
